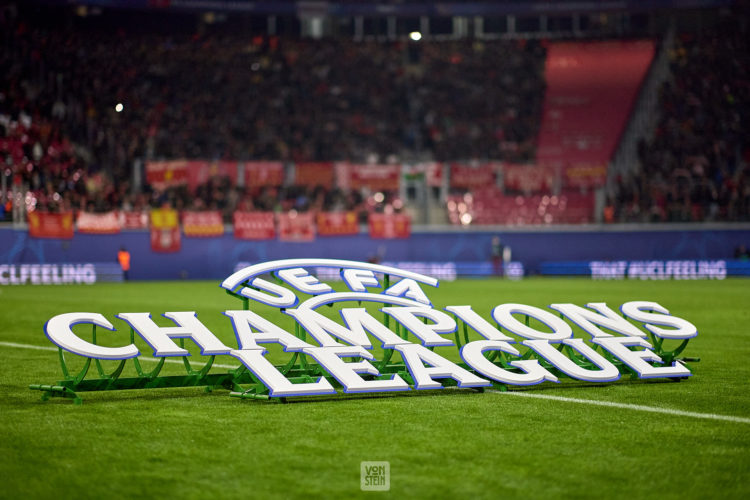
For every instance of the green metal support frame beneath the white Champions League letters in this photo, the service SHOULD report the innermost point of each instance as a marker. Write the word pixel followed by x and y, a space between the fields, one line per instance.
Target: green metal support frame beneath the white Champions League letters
pixel 243 384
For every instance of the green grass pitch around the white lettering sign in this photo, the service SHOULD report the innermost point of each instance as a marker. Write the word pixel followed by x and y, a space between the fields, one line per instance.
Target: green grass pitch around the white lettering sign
pixel 184 443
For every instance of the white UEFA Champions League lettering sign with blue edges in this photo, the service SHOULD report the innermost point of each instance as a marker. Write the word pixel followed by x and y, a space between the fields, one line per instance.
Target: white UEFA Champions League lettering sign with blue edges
pixel 342 349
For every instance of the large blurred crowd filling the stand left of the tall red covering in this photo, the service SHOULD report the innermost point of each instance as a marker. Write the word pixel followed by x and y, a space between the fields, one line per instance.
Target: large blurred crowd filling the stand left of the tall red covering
pixel 78 105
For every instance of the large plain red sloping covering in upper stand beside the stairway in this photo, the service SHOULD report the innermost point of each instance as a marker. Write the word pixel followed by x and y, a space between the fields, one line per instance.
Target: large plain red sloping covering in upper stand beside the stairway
pixel 591 90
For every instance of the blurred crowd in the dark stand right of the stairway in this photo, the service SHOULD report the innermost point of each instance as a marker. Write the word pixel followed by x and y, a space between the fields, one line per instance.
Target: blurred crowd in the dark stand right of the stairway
pixel 697 165
